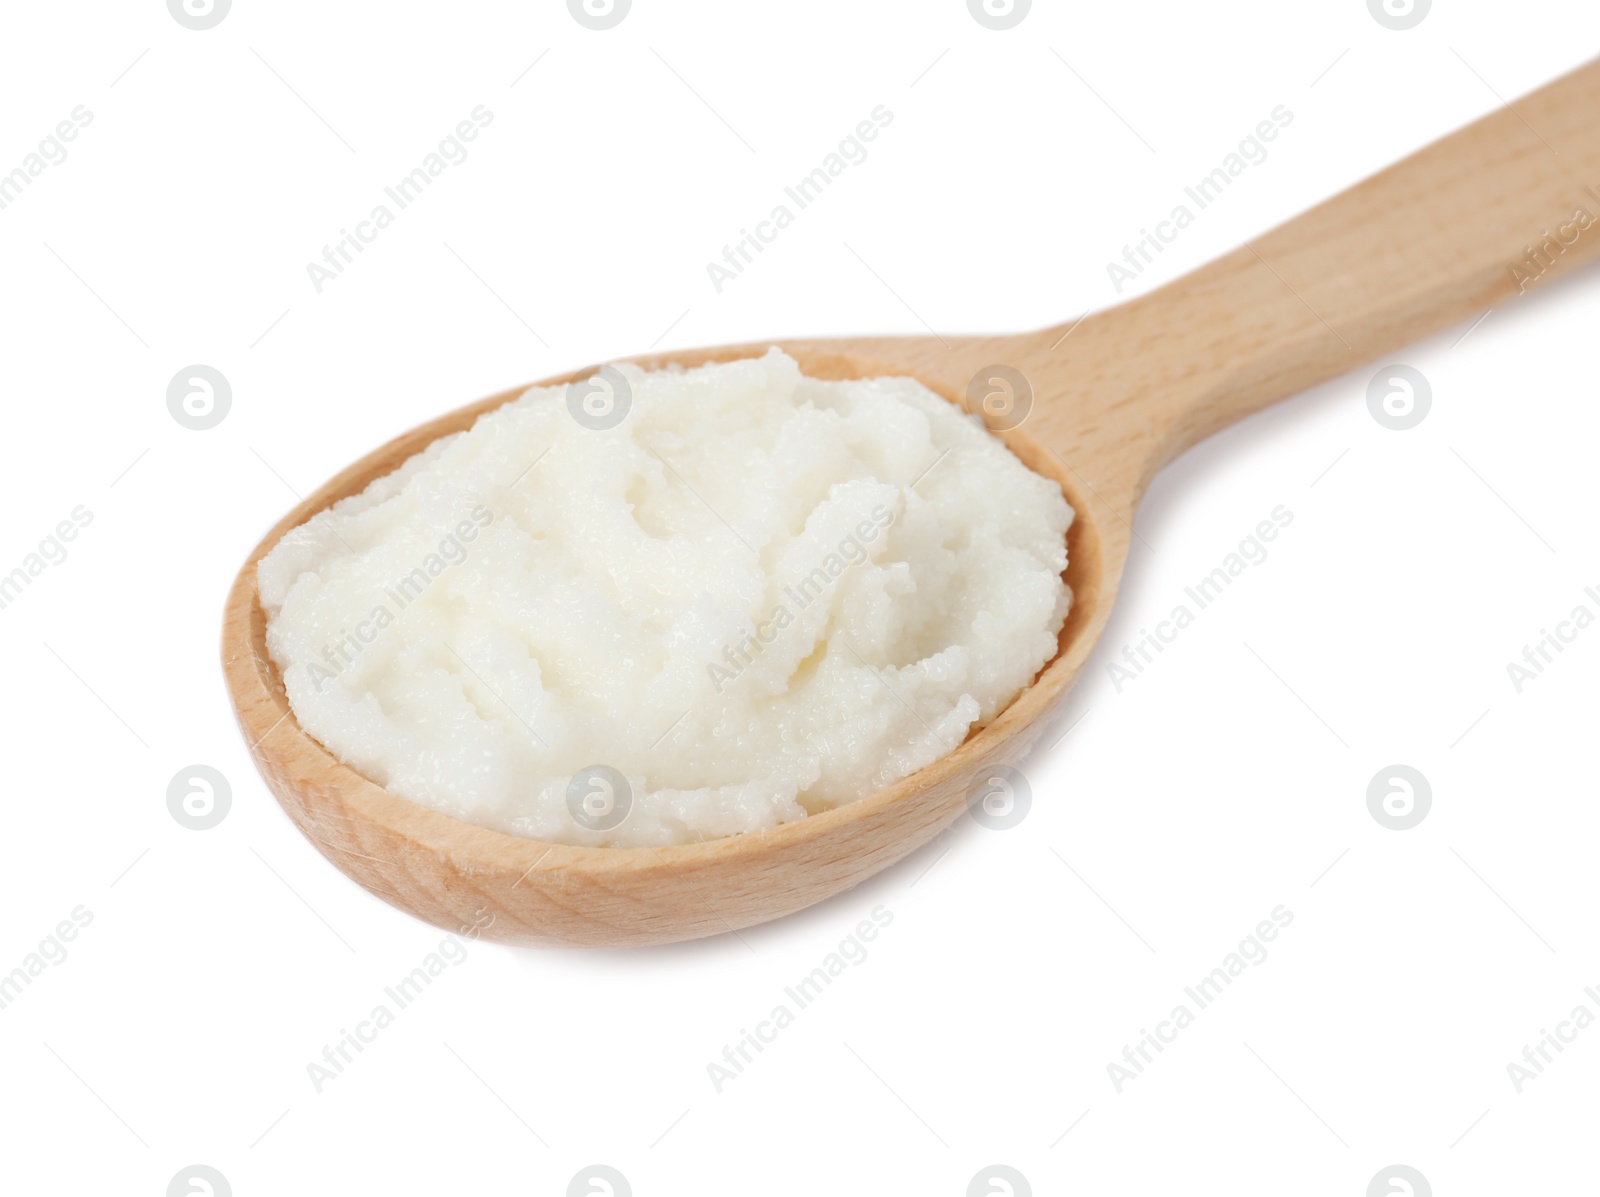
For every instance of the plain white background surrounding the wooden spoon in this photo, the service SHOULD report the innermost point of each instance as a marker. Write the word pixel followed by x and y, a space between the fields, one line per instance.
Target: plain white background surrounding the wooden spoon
pixel 1228 780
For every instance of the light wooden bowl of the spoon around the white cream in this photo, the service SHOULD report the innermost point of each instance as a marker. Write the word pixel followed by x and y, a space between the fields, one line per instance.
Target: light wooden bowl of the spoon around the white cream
pixel 505 887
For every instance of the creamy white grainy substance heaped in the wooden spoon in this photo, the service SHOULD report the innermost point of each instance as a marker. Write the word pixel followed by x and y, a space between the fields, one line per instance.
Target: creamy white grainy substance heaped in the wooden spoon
pixel 673 606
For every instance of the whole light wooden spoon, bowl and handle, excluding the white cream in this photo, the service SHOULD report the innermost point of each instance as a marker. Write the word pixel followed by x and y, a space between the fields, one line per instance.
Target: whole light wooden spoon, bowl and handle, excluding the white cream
pixel 1438 239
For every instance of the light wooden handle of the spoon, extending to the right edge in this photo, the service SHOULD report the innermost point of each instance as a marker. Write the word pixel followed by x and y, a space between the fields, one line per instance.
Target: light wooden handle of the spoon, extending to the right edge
pixel 1502 207
